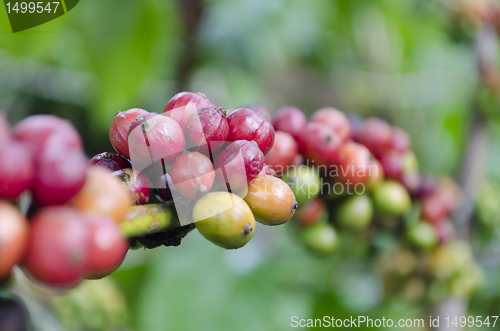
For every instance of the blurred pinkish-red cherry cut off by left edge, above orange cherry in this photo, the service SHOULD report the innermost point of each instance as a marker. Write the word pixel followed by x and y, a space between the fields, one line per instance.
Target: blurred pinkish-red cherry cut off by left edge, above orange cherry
pixel 16 167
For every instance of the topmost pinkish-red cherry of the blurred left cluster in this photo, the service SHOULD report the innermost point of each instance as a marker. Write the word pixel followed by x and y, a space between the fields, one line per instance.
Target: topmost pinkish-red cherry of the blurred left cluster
pixel 42 131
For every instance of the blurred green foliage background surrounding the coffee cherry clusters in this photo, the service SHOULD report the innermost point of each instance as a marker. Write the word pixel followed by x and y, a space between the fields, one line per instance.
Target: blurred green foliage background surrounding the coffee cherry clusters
pixel 428 66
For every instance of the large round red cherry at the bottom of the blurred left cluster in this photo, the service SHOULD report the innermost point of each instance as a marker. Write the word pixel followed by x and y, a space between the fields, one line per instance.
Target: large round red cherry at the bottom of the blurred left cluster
pixel 58 246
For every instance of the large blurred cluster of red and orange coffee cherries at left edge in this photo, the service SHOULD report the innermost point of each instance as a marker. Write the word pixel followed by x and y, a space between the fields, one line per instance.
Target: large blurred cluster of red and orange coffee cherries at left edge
pixel 71 230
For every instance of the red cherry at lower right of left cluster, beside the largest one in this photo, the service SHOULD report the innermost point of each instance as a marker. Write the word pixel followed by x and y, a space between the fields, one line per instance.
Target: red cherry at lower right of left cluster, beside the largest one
pixel 107 247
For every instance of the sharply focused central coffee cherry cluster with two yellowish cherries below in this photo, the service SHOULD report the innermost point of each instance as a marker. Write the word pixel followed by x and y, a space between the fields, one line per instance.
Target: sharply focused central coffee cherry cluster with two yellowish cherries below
pixel 209 164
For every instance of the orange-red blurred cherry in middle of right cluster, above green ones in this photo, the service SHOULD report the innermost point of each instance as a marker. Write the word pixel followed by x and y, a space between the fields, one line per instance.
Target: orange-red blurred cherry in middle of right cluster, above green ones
pixel 354 164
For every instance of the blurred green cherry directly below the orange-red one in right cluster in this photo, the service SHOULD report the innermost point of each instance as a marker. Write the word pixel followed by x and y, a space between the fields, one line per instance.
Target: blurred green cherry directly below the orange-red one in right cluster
pixel 355 212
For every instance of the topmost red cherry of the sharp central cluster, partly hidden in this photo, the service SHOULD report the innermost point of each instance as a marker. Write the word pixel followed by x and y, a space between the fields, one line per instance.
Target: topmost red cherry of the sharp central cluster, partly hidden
pixel 183 104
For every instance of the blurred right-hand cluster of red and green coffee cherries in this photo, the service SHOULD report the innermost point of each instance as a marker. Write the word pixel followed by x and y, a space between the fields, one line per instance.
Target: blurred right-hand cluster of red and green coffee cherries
pixel 359 178
